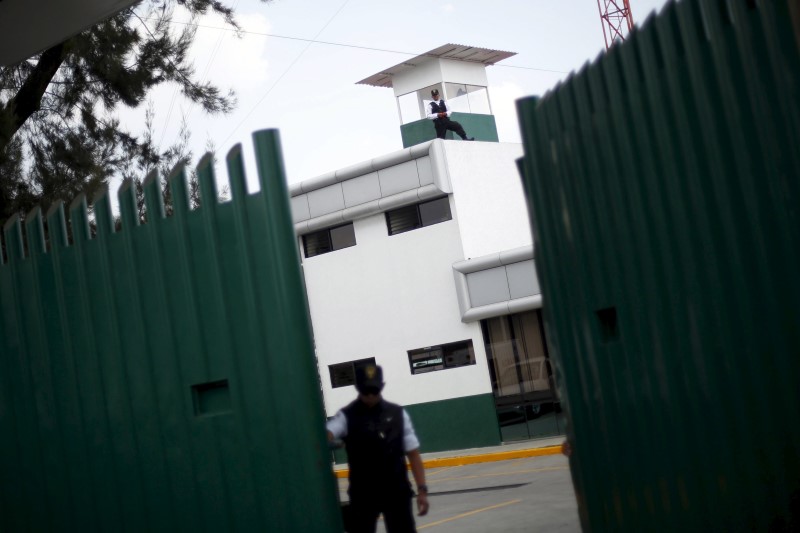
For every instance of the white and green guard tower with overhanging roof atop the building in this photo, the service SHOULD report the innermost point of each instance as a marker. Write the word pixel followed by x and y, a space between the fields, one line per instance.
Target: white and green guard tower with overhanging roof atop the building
pixel 459 73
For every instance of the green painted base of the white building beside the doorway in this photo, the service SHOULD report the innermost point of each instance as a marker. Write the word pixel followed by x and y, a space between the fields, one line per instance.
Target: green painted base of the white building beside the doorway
pixel 456 424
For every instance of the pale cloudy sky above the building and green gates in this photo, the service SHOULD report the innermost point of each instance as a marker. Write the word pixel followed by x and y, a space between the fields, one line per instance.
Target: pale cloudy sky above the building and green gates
pixel 308 90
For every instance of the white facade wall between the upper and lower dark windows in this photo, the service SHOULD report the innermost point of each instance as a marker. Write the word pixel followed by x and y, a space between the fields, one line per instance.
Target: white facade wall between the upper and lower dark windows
pixel 388 295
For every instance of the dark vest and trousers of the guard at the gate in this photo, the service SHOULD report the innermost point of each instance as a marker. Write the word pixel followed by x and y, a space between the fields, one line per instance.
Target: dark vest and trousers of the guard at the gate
pixel 378 475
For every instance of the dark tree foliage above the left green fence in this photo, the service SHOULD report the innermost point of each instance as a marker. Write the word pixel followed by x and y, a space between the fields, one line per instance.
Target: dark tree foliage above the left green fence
pixel 59 135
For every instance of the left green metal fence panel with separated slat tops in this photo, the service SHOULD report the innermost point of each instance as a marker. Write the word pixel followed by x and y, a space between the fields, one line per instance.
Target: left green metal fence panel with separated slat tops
pixel 162 377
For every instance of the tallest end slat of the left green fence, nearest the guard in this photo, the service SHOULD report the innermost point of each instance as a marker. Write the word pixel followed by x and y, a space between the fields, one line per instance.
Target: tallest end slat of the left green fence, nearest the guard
pixel 291 318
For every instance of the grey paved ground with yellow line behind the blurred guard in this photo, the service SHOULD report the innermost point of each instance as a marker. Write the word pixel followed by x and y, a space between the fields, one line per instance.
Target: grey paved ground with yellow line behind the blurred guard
pixel 520 495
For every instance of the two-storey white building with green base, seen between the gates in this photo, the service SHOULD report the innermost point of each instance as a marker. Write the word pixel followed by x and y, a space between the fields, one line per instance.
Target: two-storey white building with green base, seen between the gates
pixel 422 260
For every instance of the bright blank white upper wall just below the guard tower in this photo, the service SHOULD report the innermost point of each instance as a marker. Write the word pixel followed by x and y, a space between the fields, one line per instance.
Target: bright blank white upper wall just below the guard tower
pixel 489 199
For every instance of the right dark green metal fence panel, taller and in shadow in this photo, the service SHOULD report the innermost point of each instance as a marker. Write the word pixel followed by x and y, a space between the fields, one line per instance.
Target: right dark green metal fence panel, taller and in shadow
pixel 664 186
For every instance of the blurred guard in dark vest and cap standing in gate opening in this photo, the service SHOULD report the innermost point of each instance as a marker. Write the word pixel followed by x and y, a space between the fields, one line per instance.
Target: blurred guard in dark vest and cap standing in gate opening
pixel 378 436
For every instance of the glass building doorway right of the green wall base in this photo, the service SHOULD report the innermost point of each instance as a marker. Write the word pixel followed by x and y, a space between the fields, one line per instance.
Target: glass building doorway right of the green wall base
pixel 523 381
